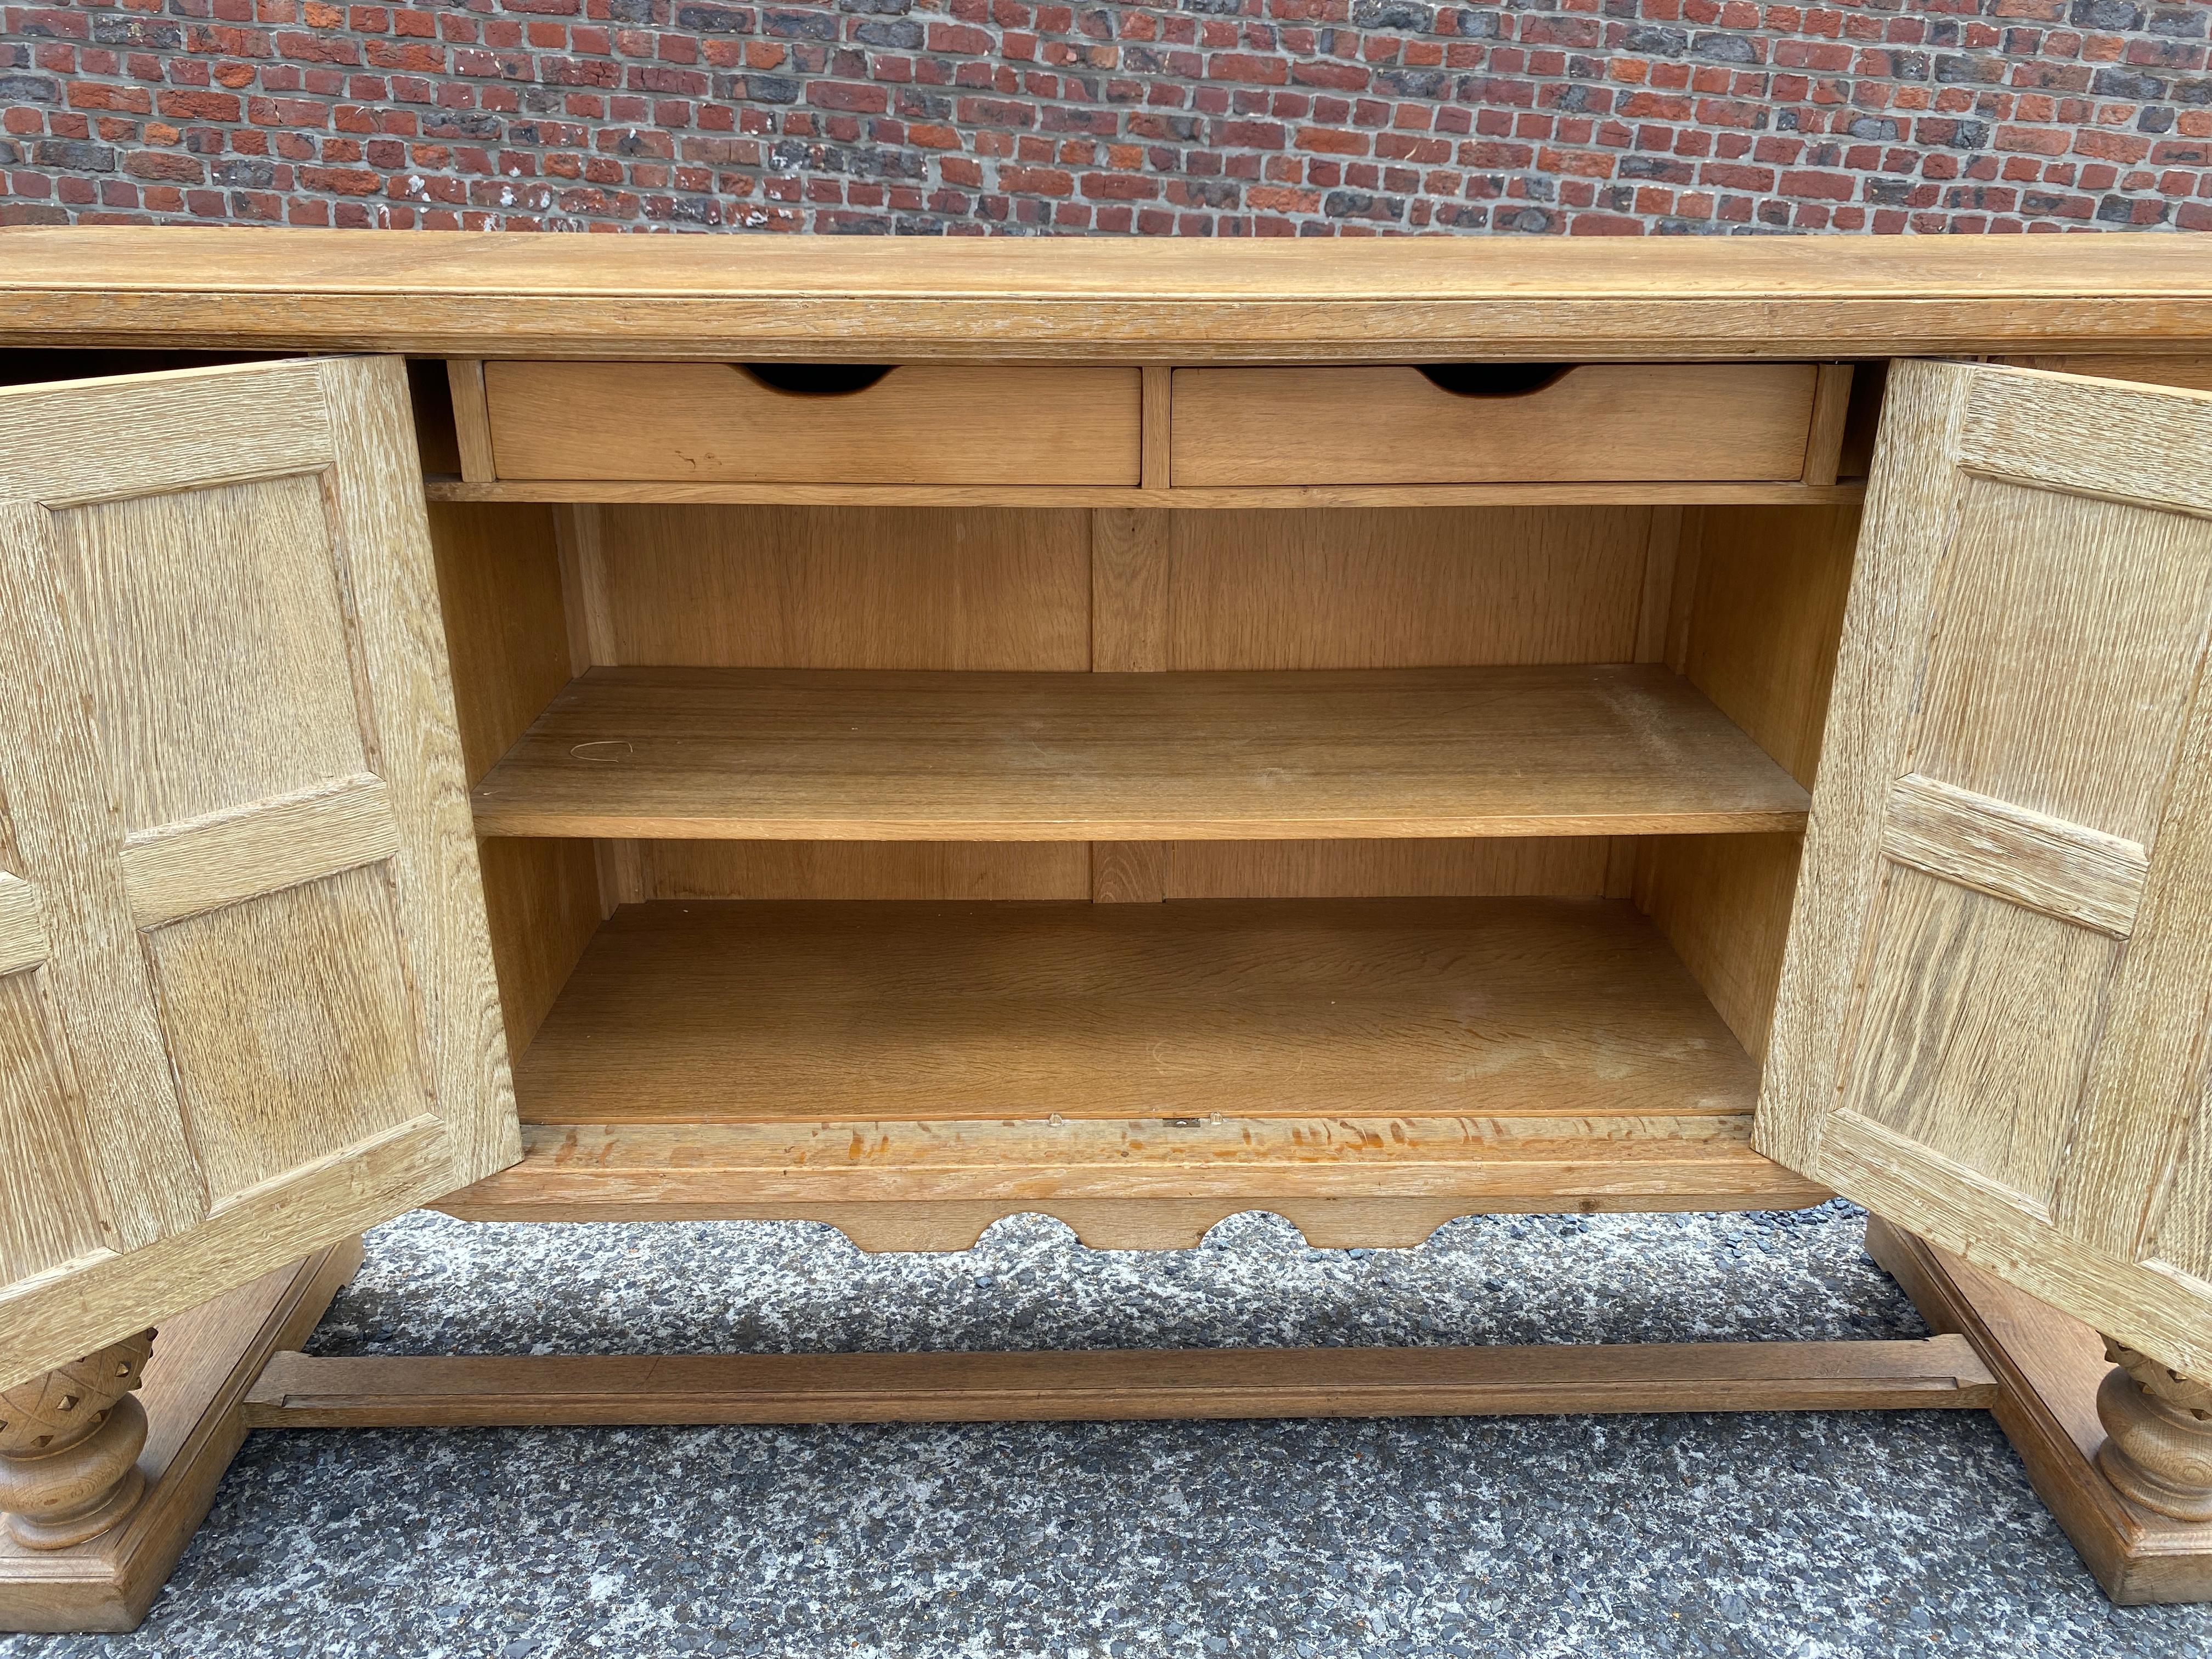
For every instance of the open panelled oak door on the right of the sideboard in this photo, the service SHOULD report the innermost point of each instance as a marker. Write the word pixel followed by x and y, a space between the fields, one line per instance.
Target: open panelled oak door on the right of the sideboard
pixel 1992 1021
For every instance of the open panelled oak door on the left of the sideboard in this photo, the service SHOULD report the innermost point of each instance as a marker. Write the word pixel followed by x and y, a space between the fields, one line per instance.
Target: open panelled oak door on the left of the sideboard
pixel 247 997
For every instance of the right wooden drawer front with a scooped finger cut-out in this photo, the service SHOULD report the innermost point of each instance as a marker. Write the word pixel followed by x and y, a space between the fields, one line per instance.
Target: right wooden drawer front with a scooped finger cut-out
pixel 1395 426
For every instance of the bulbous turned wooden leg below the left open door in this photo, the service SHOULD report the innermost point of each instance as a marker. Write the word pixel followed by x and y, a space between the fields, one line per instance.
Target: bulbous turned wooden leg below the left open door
pixel 70 1446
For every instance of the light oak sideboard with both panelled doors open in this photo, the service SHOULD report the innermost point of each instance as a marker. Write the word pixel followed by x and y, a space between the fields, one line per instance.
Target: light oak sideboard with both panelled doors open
pixel 601 729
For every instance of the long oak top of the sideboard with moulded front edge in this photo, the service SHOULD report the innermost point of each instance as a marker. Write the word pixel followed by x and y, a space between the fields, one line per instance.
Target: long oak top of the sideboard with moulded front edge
pixel 1065 298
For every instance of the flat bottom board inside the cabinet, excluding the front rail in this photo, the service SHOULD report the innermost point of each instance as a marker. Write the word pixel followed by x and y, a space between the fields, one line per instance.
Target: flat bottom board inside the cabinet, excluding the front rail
pixel 689 1014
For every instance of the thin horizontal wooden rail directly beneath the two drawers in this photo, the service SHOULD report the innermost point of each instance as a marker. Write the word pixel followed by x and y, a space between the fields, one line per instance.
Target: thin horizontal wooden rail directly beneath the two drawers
pixel 1191 499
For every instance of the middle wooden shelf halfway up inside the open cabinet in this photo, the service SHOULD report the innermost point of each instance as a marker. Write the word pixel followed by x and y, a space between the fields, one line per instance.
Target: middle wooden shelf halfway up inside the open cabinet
pixel 817 755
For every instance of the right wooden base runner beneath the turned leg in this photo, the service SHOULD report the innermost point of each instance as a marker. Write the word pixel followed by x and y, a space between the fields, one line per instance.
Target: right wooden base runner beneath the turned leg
pixel 2047 1370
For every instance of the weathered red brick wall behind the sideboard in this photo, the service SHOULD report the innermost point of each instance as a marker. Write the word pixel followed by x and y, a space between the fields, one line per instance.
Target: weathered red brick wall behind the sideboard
pixel 1204 118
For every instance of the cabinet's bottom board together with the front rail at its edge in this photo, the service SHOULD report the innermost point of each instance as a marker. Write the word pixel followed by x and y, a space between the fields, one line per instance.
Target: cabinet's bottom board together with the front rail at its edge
pixel 974 1061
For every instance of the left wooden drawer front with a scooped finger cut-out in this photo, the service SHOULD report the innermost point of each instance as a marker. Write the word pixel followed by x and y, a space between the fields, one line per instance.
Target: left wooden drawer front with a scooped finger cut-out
pixel 921 424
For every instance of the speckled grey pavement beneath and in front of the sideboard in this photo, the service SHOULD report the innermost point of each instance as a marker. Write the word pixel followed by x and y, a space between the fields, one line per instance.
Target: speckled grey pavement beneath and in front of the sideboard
pixel 1804 1536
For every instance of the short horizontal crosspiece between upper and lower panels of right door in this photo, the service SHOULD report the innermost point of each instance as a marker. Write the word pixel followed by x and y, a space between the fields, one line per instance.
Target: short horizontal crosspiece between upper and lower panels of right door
pixel 2025 857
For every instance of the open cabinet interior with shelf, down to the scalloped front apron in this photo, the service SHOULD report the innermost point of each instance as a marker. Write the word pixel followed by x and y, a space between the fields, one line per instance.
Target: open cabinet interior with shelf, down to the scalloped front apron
pixel 1530 968
